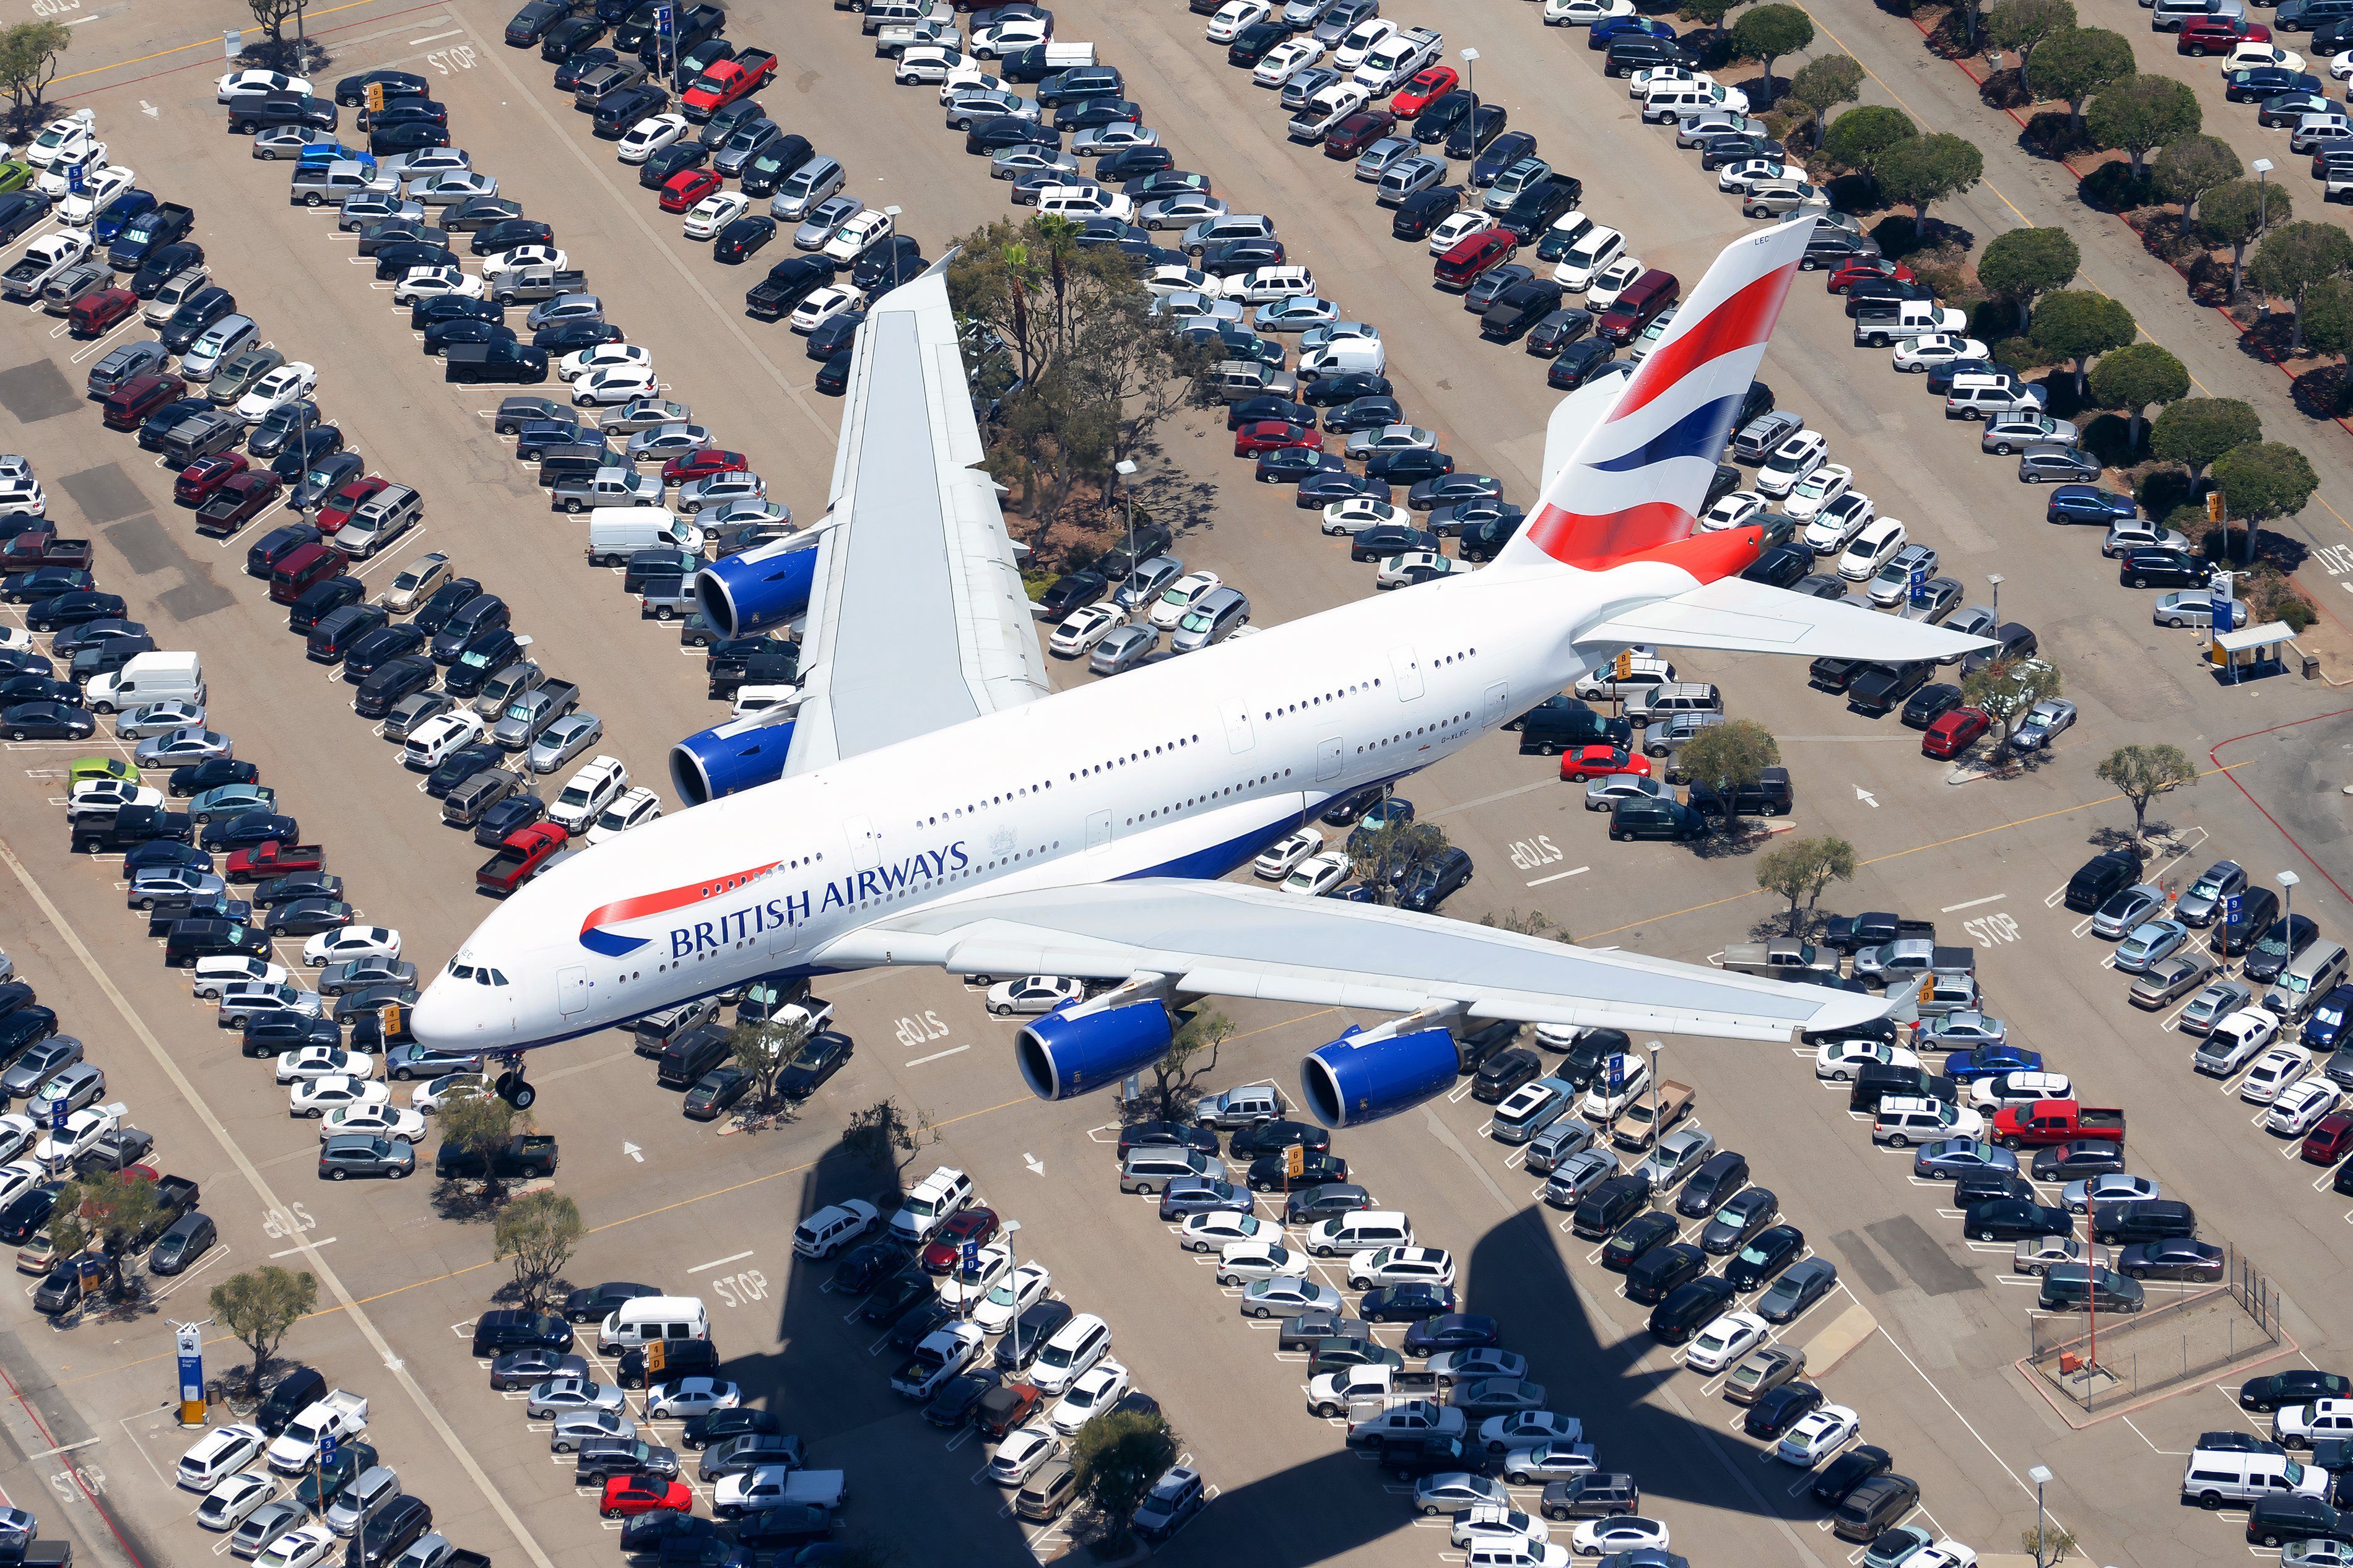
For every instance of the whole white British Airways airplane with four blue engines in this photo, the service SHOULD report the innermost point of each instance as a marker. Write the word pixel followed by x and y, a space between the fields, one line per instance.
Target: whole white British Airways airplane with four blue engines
pixel 933 803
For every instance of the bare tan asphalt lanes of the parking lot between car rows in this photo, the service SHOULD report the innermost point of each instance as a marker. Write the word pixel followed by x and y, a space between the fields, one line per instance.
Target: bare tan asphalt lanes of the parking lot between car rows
pixel 1924 1327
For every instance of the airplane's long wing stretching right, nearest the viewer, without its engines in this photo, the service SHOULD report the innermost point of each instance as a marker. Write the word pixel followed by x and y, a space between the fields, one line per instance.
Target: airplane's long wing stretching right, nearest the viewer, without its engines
pixel 1244 942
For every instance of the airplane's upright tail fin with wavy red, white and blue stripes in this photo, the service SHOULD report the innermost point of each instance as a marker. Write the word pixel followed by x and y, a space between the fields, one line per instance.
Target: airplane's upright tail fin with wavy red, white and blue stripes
pixel 1632 488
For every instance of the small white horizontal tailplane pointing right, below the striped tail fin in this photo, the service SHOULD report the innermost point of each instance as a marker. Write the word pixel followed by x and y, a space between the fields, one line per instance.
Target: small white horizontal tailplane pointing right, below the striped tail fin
pixel 1742 617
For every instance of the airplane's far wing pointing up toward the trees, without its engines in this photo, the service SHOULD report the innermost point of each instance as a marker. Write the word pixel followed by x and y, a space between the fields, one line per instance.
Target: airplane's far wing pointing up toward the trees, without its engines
pixel 916 615
